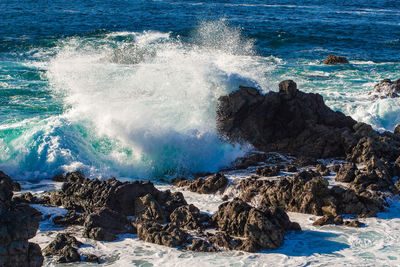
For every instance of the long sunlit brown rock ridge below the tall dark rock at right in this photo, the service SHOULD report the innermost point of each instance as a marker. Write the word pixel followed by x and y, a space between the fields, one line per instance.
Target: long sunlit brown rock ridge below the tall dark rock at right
pixel 308 192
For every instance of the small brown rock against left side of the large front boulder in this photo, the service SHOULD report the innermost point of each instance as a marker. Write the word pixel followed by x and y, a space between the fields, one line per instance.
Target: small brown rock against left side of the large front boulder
pixel 188 217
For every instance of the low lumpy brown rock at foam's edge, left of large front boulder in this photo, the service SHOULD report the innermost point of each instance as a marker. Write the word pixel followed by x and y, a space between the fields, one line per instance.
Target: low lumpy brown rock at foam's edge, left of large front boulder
pixel 167 235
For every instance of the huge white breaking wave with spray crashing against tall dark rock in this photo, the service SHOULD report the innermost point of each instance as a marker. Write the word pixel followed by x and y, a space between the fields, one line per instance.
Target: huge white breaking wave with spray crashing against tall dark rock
pixel 138 105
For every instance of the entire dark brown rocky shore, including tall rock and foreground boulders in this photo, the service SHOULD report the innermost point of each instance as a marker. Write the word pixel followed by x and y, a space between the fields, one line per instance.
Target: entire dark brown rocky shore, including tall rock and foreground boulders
pixel 309 159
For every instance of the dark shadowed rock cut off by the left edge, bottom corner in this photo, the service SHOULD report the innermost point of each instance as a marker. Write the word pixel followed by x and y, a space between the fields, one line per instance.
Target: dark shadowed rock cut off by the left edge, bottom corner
pixel 18 223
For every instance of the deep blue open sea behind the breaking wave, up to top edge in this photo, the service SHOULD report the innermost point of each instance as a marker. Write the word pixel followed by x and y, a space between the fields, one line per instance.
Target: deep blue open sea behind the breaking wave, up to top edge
pixel 363 30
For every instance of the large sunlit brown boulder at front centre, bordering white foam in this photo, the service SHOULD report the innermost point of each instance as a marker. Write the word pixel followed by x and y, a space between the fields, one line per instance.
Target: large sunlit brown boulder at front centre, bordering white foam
pixel 261 229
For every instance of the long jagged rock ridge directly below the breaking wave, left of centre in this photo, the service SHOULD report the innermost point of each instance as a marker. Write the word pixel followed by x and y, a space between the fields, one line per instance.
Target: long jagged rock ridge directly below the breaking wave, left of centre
pixel 88 195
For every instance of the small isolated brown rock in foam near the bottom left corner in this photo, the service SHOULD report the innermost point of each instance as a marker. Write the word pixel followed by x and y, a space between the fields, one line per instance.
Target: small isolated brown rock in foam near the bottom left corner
pixel 65 247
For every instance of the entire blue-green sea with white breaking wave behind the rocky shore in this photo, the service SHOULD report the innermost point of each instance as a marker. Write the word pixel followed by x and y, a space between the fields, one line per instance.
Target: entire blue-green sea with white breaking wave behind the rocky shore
pixel 129 88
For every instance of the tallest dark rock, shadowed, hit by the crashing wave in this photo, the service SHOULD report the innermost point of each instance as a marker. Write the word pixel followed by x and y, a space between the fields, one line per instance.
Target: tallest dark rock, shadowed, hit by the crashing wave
pixel 290 121
